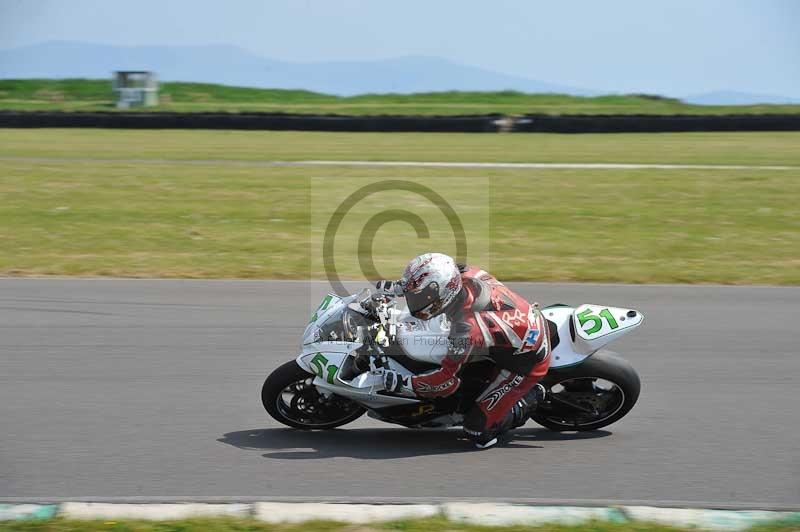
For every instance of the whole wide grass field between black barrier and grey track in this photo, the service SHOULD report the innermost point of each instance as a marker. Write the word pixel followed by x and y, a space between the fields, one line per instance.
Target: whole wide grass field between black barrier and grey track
pixel 206 204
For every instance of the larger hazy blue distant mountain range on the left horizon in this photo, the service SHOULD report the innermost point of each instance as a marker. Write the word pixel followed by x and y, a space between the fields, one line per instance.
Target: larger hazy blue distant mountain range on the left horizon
pixel 230 65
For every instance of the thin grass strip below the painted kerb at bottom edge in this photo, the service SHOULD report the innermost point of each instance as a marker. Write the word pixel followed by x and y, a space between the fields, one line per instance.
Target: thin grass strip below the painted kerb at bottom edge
pixel 247 525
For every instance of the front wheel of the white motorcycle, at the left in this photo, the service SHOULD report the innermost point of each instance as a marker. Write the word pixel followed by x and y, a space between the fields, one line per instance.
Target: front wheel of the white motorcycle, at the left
pixel 290 397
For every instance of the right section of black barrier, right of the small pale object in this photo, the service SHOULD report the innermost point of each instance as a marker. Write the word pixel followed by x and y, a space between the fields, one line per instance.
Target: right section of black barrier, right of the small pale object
pixel 653 123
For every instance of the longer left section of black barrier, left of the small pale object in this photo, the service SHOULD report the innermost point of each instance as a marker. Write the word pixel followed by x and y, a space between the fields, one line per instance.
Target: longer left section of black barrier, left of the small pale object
pixel 252 121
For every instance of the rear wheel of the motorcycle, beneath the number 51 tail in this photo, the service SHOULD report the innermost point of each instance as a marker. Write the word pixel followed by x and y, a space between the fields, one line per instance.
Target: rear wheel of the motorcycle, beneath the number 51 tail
pixel 589 396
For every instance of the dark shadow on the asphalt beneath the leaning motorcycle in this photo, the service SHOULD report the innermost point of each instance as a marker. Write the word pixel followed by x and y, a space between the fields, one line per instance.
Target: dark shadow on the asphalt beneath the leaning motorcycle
pixel 379 444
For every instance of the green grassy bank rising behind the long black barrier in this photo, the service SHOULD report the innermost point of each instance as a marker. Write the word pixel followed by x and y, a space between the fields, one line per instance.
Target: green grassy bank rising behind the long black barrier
pixel 94 94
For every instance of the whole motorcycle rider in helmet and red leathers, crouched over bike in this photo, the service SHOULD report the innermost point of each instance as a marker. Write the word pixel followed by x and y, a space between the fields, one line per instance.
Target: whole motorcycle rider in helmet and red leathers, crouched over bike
pixel 488 318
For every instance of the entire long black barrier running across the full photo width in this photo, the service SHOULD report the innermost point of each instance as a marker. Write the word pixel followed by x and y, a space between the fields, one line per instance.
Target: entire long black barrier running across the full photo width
pixel 396 123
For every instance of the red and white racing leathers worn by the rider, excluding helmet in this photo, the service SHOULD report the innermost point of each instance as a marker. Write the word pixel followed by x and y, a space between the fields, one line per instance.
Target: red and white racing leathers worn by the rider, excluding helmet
pixel 489 318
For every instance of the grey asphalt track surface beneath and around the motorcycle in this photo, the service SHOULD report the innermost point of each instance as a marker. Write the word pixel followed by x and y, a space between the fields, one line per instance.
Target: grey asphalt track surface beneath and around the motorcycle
pixel 149 390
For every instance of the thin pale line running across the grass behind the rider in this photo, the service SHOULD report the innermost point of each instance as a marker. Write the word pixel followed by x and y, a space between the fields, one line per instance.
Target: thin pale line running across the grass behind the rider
pixel 408 164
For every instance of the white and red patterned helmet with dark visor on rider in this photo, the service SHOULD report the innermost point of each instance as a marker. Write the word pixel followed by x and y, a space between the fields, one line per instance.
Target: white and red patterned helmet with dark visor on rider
pixel 430 282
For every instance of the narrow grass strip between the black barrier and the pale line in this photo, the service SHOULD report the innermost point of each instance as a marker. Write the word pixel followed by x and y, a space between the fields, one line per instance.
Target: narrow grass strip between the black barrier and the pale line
pixel 775 148
